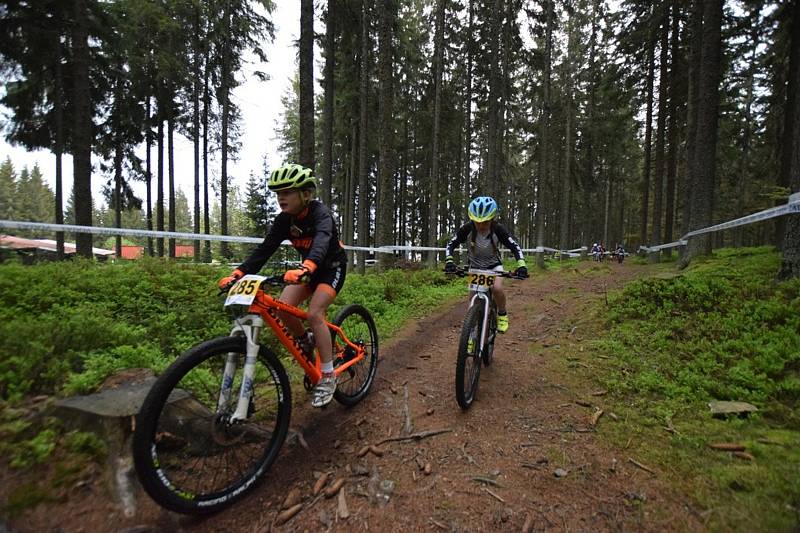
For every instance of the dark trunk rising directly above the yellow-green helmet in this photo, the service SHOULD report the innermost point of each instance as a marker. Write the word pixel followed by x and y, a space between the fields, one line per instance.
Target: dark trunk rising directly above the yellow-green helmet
pixel 306 103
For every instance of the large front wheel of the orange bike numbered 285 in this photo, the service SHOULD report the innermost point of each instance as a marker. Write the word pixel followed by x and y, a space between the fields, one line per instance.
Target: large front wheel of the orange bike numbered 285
pixel 189 455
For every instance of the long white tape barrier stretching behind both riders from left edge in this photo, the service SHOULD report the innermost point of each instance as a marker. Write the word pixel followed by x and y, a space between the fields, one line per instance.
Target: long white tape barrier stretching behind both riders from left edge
pixel 71 228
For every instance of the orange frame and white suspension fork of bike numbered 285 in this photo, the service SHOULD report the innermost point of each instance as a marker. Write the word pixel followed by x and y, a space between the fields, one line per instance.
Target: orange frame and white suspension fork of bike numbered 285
pixel 265 309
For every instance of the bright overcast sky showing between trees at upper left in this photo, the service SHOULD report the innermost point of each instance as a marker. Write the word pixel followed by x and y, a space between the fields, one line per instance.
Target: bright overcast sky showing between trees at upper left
pixel 261 110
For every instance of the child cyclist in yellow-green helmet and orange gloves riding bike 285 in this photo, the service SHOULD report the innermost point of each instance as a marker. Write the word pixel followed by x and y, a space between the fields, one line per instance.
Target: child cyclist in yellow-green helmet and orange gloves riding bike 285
pixel 309 225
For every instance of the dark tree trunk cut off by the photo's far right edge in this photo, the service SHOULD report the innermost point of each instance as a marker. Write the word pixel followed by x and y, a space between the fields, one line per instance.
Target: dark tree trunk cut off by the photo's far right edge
pixel 790 268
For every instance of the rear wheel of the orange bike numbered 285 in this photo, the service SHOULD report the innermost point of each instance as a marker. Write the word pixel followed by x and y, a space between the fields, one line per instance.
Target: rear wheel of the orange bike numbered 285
pixel 354 382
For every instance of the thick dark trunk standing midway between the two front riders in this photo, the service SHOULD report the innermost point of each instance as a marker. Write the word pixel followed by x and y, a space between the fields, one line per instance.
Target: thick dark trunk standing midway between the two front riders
pixel 385 210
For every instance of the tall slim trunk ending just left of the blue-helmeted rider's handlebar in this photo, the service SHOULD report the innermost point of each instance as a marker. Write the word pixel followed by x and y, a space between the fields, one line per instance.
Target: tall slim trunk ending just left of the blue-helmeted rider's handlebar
pixel 433 205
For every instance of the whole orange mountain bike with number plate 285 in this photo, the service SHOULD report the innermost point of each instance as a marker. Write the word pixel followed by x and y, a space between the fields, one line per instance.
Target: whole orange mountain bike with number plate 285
pixel 214 421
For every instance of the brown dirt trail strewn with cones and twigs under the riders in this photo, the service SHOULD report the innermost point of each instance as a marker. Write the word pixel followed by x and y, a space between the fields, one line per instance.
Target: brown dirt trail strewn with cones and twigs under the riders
pixel 495 469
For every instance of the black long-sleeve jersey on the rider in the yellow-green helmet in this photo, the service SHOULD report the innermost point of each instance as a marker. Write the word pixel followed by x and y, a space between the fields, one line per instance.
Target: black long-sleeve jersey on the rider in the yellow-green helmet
pixel 313 233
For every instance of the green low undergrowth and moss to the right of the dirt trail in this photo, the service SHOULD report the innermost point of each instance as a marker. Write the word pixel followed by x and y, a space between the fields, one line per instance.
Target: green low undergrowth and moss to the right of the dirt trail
pixel 722 330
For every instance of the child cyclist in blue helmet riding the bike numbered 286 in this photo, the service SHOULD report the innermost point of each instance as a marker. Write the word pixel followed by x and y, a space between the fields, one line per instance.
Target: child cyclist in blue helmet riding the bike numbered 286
pixel 485 234
